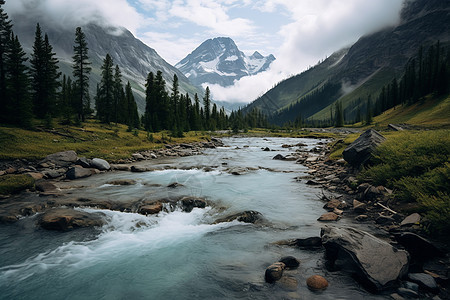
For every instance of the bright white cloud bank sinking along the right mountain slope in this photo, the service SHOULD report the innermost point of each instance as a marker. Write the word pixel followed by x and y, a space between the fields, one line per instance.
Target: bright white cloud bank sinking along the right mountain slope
pixel 318 28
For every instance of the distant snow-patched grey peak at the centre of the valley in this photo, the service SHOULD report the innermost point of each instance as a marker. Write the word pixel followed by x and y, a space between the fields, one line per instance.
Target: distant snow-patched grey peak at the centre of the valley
pixel 219 61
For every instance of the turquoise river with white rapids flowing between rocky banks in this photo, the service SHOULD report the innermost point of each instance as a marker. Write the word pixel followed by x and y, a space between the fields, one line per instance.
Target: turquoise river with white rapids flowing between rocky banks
pixel 180 255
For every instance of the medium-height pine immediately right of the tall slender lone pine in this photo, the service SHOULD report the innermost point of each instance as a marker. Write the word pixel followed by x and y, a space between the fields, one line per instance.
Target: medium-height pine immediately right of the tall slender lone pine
pixel 105 95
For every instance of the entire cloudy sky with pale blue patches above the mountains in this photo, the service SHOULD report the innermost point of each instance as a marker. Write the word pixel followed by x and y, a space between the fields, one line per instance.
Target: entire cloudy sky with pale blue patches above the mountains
pixel 298 33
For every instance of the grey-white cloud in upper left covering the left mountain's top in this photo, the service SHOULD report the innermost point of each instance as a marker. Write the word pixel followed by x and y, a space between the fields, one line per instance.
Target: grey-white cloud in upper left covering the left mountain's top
pixel 78 13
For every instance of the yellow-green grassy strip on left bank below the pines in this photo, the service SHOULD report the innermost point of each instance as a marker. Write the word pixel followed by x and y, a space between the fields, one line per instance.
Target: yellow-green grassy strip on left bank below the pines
pixel 93 139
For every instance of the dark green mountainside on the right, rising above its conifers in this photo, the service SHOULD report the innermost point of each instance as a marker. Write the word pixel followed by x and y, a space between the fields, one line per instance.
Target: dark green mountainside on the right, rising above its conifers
pixel 351 74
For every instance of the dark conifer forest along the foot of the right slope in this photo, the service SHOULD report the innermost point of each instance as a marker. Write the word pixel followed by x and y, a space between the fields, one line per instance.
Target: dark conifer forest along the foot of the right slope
pixel 428 72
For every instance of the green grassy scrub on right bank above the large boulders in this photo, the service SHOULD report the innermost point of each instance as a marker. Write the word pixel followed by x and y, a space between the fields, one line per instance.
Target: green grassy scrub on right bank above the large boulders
pixel 416 165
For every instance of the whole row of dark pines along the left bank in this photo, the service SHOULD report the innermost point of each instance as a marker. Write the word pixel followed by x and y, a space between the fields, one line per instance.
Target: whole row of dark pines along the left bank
pixel 39 91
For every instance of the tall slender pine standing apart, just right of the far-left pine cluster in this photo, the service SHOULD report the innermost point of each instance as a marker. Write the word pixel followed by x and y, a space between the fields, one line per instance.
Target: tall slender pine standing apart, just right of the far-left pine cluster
pixel 81 70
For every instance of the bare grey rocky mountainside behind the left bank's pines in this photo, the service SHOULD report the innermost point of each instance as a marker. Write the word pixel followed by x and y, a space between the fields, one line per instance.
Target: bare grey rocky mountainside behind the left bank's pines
pixel 134 58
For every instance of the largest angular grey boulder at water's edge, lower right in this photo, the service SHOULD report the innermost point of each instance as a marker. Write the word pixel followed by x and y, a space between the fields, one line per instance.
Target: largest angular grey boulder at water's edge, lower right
pixel 376 263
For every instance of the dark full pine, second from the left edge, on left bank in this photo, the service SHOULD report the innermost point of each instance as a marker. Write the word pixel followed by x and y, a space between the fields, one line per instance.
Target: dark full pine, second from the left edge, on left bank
pixel 17 87
